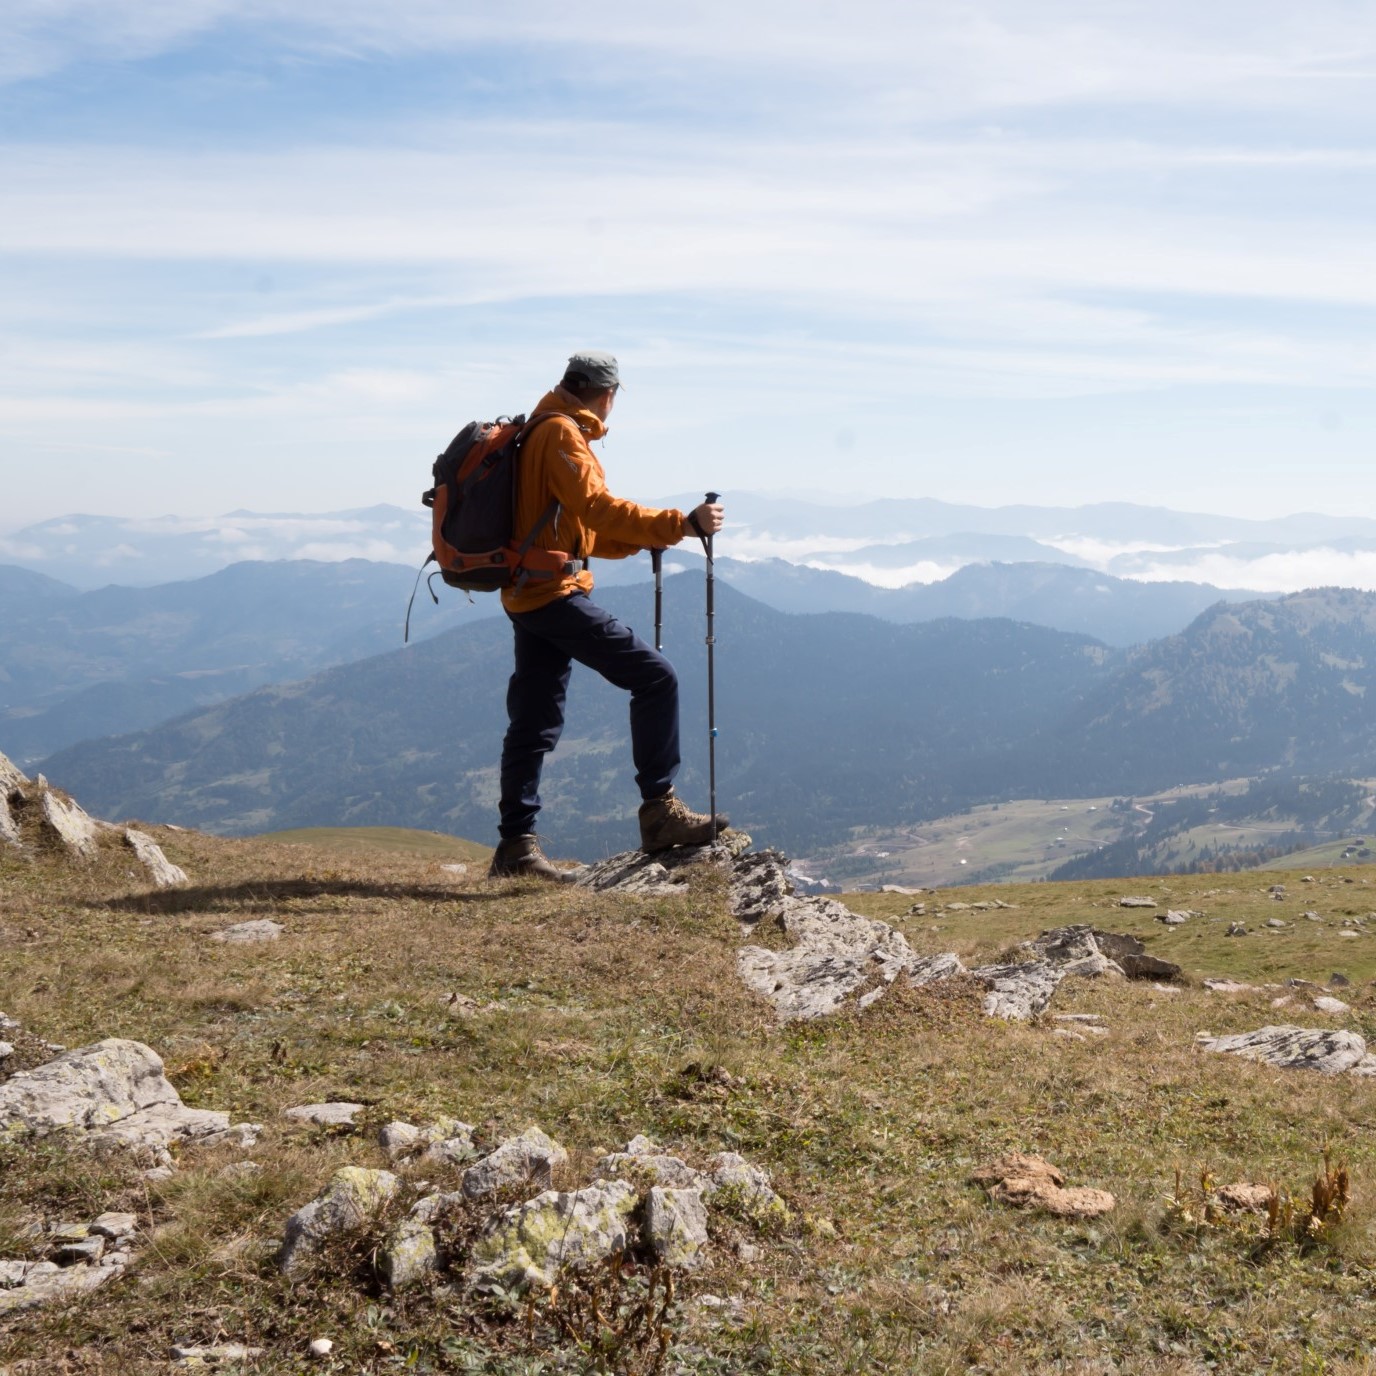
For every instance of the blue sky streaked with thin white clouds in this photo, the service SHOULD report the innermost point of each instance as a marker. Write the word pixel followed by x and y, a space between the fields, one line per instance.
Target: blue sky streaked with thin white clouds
pixel 270 255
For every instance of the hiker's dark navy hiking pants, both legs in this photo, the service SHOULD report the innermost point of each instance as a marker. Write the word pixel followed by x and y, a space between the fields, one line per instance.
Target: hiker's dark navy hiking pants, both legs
pixel 548 642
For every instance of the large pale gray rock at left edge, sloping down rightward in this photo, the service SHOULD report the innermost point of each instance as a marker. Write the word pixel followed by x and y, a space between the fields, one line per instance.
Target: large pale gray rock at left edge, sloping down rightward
pixel 114 1090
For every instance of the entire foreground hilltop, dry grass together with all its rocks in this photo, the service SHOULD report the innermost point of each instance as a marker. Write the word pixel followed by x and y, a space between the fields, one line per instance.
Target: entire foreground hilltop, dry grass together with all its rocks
pixel 266 1110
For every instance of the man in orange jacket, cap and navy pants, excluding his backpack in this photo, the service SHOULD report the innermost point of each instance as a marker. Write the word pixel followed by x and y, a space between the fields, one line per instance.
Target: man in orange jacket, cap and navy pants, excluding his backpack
pixel 557 623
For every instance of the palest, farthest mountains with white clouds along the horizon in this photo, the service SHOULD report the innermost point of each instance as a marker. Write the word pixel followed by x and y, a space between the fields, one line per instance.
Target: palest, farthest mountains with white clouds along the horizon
pixel 891 543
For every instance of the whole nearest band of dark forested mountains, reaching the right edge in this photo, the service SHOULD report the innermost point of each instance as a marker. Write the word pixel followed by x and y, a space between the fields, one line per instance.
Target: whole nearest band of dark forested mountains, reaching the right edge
pixel 828 723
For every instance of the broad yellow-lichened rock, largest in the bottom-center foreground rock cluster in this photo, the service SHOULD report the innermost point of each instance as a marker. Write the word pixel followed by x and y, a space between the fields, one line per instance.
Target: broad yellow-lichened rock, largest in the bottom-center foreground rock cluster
pixel 528 1245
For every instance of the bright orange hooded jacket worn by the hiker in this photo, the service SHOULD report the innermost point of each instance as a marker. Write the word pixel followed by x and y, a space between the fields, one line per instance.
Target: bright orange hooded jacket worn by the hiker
pixel 557 463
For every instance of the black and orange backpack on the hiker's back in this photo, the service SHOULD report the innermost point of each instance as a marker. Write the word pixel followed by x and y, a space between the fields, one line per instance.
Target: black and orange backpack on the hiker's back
pixel 474 514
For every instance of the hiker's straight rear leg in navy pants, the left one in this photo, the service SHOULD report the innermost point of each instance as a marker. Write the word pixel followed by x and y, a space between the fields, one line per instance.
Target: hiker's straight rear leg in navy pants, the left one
pixel 536 719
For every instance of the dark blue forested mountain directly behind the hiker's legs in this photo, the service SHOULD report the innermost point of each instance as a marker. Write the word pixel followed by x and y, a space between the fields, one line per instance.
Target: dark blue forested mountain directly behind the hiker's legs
pixel 825 723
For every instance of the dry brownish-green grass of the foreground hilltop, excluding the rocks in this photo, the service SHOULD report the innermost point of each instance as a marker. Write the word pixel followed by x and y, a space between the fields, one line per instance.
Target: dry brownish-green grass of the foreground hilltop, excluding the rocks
pixel 601 1018
